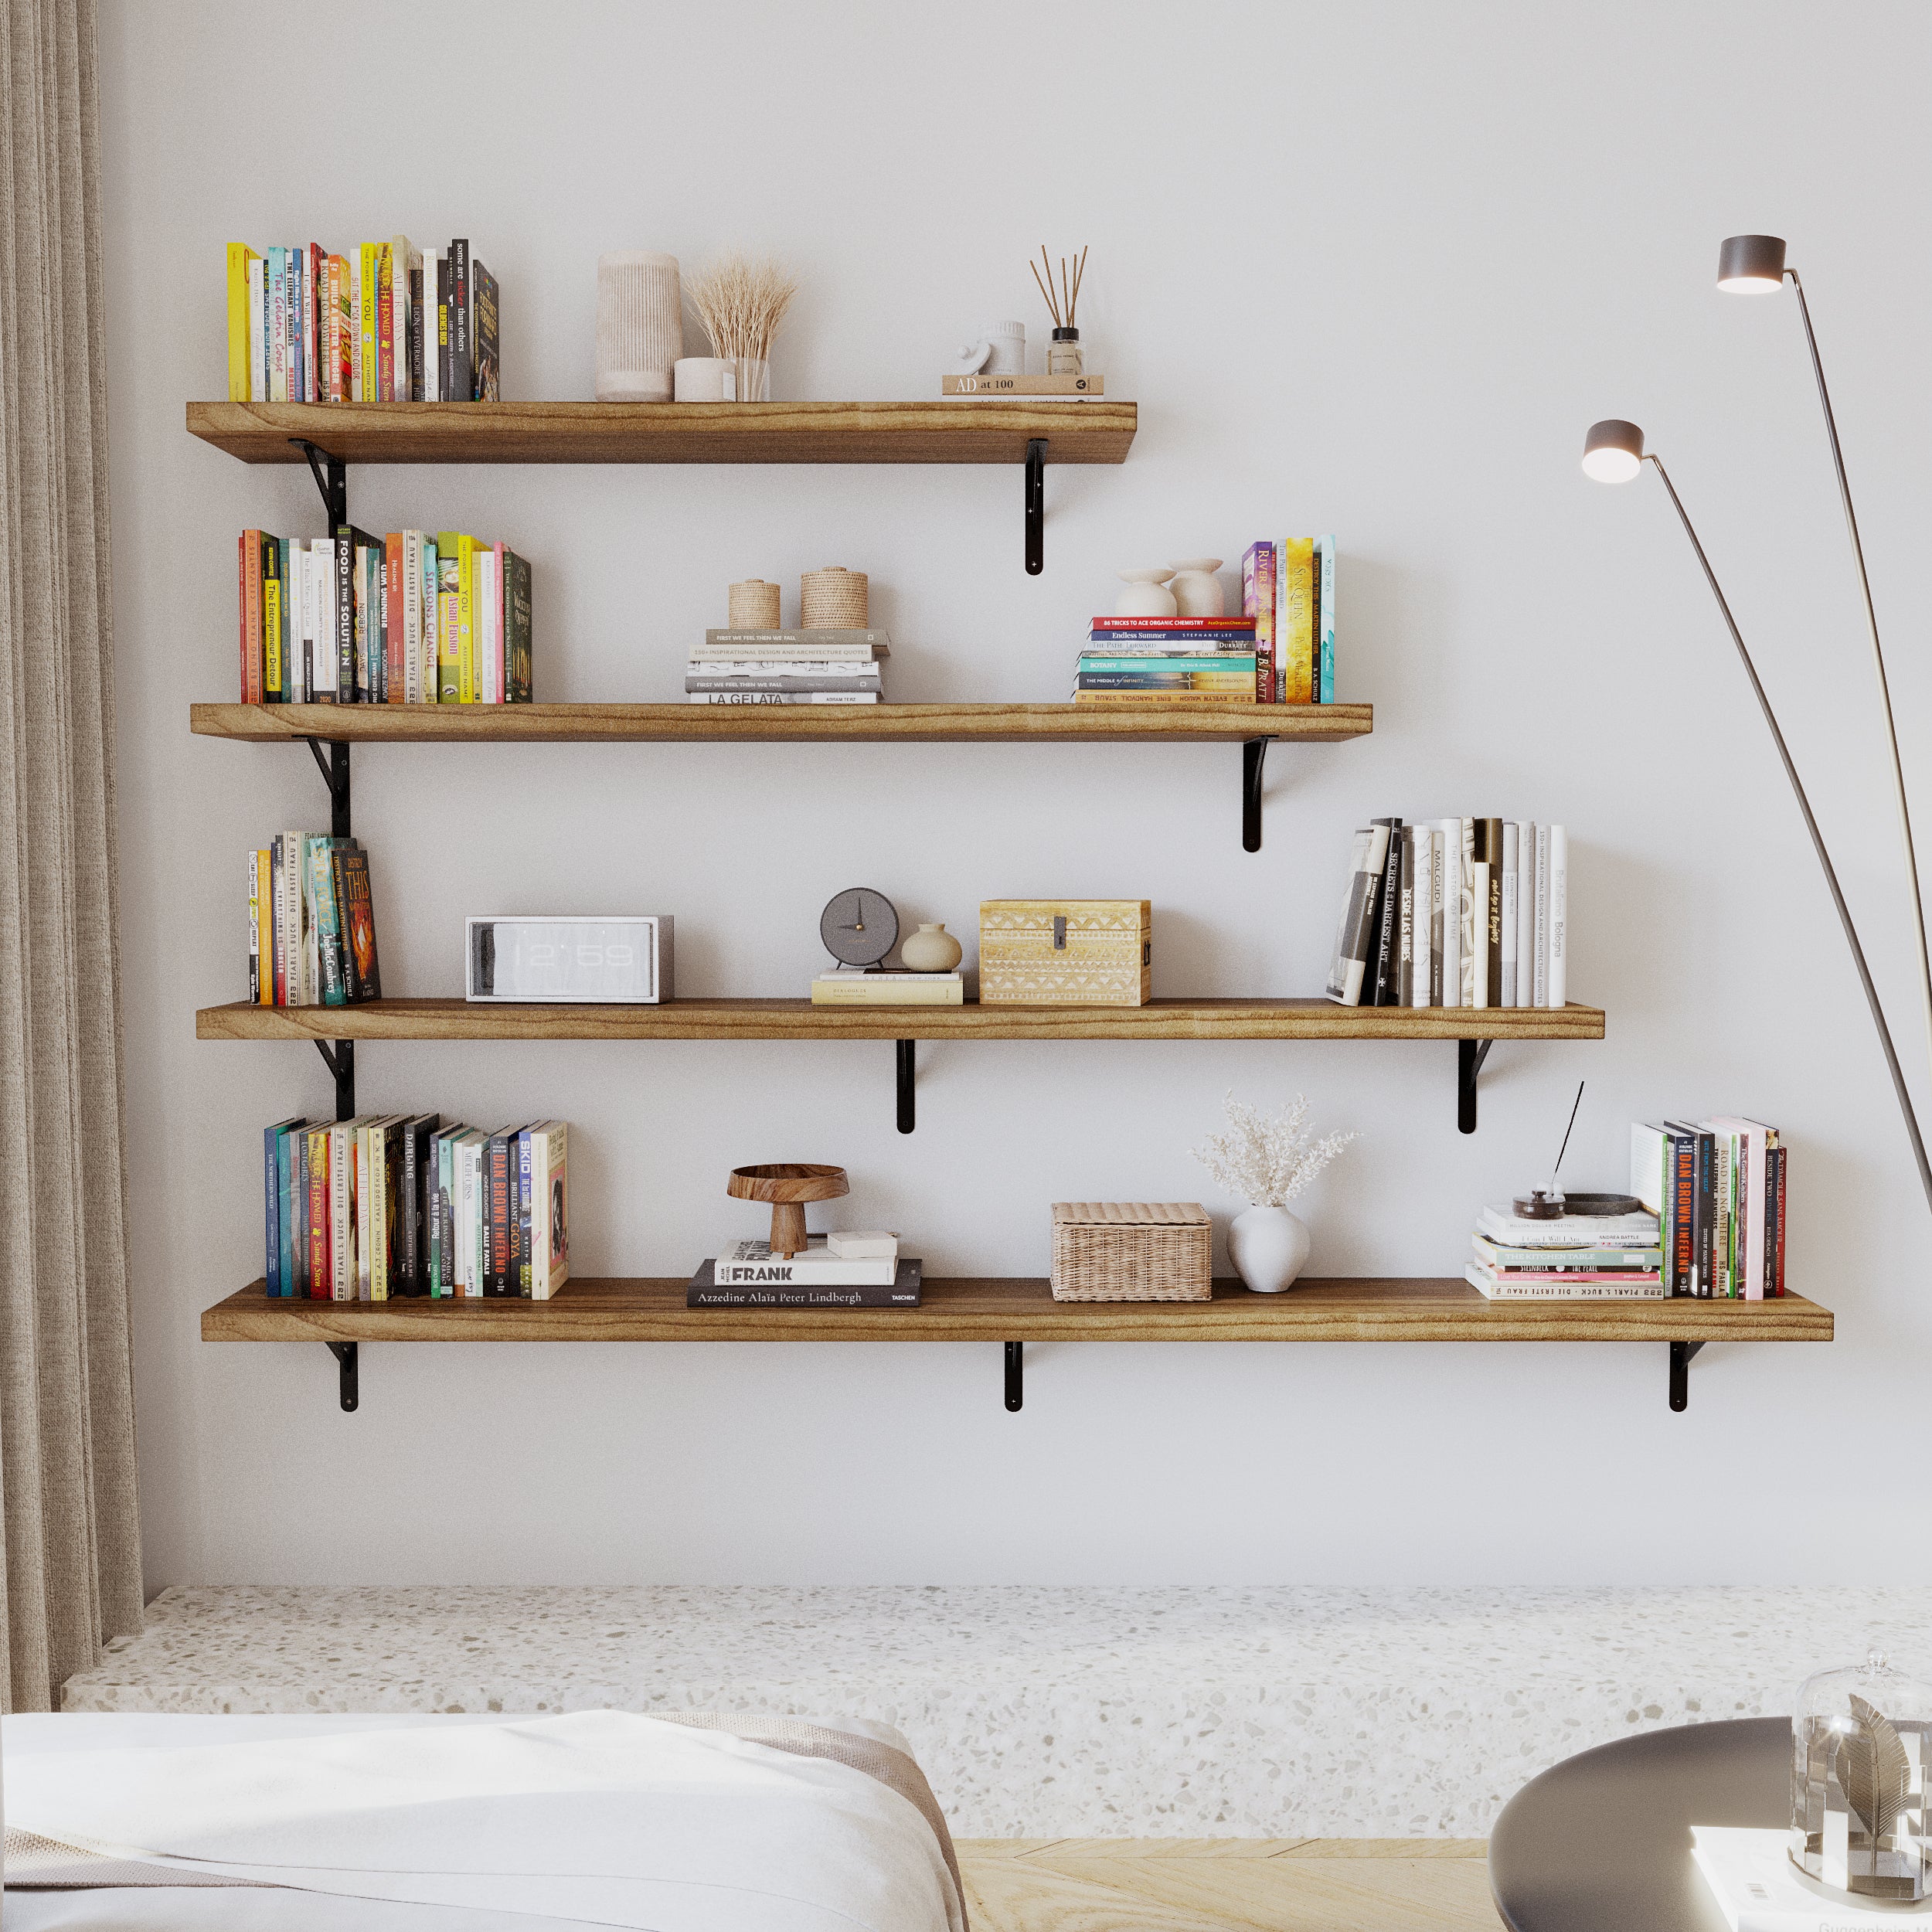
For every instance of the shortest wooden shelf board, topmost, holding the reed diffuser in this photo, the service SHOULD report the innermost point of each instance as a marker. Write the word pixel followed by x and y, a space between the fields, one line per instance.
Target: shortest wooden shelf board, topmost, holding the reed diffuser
pixel 955 432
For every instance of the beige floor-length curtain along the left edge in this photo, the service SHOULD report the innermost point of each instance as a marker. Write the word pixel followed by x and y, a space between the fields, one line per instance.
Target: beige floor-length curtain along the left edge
pixel 71 1556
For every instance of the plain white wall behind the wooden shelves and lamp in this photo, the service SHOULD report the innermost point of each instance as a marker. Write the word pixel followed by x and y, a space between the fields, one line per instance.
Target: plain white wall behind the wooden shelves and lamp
pixel 1367 270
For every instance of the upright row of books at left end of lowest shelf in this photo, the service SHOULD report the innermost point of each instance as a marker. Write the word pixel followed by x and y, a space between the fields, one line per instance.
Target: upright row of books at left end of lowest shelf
pixel 393 1207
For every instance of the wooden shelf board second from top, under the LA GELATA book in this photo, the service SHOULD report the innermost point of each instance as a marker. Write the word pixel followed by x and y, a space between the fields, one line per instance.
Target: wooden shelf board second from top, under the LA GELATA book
pixel 1127 724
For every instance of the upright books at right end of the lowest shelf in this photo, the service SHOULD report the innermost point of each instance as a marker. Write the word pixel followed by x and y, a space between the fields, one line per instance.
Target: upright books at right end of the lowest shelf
pixel 1719 1189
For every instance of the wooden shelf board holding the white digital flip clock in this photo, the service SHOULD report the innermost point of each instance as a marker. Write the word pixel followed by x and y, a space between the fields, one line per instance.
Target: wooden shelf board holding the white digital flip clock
pixel 799 1019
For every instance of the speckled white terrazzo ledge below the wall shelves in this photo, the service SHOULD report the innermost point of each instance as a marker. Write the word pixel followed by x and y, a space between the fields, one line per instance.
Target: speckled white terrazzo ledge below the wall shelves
pixel 1062 1713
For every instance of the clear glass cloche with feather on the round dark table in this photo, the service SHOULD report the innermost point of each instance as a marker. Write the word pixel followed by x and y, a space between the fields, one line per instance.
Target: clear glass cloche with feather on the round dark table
pixel 1861 1757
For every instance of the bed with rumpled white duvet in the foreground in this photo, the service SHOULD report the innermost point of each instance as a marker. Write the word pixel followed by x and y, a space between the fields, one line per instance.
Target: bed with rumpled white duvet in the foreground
pixel 689 1823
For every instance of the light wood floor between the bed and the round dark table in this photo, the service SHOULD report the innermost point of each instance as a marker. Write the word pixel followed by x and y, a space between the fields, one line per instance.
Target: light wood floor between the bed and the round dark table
pixel 1228 1885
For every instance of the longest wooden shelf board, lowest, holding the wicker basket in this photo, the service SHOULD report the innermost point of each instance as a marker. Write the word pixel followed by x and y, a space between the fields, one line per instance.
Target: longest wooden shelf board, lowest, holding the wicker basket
pixel 1023 1311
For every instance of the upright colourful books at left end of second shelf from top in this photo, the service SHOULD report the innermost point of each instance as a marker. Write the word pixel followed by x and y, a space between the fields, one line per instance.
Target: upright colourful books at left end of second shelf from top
pixel 409 619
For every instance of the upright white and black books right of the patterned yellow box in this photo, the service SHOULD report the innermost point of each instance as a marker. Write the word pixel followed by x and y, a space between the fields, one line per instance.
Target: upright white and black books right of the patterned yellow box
pixel 1456 913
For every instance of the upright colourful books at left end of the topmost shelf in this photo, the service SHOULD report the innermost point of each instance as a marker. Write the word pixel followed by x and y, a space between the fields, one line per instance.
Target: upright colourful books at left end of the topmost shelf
pixel 382 324
